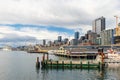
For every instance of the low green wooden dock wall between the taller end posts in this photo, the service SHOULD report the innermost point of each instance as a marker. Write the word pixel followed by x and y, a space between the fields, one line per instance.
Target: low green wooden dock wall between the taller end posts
pixel 70 65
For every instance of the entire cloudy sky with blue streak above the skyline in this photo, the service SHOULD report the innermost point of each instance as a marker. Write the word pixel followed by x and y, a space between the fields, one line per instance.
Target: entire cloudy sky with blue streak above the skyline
pixel 25 21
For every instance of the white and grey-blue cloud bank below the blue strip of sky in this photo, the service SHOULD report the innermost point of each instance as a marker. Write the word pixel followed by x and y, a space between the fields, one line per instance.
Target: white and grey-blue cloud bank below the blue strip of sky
pixel 22 34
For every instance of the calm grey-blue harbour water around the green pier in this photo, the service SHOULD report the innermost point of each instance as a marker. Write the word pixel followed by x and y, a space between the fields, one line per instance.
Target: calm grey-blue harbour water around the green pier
pixel 18 65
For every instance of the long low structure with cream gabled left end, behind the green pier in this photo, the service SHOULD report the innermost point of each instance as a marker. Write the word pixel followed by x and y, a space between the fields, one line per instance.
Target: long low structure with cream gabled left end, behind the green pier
pixel 77 53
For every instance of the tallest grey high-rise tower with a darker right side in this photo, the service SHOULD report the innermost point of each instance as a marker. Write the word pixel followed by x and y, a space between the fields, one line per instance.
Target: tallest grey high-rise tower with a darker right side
pixel 98 25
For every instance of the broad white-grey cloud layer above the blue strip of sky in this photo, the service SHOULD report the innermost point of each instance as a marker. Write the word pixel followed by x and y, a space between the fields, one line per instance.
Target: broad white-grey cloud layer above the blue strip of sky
pixel 64 13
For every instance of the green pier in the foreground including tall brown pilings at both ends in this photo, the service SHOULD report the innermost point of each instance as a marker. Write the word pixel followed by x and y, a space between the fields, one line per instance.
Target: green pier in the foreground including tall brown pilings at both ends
pixel 71 64
